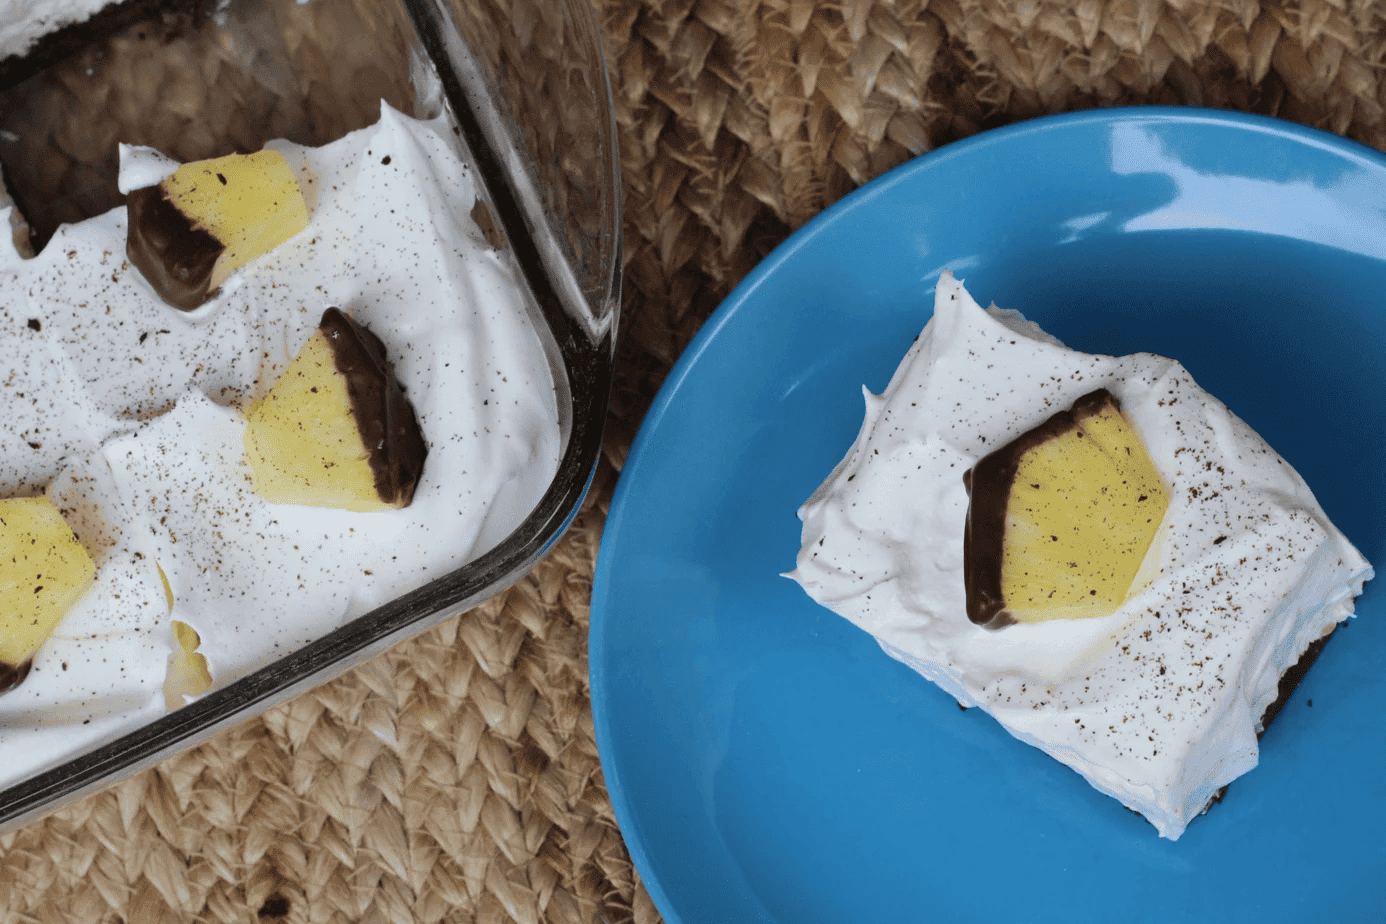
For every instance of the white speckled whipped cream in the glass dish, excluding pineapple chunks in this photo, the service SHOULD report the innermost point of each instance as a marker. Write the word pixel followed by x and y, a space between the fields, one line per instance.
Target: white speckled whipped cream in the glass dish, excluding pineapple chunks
pixel 128 414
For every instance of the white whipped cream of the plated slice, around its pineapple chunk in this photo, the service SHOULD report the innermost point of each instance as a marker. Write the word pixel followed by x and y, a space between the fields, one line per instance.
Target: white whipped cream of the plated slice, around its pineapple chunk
pixel 1158 704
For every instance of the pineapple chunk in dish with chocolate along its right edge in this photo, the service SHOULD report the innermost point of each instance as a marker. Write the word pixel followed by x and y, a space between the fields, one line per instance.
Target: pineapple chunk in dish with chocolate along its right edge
pixel 337 429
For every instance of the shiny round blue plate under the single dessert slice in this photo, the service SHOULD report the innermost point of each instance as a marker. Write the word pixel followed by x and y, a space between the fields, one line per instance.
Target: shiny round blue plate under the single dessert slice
pixel 769 763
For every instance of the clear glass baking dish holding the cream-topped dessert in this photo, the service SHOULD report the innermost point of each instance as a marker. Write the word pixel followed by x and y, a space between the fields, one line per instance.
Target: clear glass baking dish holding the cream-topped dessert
pixel 526 85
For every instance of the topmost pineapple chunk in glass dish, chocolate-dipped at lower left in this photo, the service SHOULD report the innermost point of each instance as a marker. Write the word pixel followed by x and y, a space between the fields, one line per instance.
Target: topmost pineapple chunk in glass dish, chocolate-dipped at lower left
pixel 206 221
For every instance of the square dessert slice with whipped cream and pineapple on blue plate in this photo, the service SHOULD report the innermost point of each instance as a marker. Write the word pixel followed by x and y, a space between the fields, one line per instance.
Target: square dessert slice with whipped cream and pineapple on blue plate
pixel 1091 549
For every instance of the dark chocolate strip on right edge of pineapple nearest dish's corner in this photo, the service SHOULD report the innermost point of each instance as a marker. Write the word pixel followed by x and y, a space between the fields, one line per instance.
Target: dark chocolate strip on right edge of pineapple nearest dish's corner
pixel 383 415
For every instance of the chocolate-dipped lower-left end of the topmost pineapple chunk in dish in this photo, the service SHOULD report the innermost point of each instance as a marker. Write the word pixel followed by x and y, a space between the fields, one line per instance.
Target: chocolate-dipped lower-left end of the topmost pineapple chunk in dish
pixel 175 256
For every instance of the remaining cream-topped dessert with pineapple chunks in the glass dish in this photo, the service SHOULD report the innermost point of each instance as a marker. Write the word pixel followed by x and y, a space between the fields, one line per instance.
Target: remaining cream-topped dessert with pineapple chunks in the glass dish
pixel 265 396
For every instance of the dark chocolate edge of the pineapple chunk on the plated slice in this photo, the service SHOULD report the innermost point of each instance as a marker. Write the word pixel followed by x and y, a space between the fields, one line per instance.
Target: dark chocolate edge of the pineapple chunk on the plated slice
pixel 989 498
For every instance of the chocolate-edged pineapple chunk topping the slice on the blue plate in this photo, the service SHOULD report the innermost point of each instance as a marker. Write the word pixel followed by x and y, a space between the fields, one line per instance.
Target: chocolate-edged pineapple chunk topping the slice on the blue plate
pixel 1061 519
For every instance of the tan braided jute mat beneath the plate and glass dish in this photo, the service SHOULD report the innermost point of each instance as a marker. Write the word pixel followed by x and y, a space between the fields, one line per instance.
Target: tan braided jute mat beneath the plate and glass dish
pixel 457 778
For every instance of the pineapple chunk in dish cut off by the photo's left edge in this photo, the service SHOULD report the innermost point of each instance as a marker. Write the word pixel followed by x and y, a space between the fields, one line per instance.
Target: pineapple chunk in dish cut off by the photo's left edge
pixel 44 571
